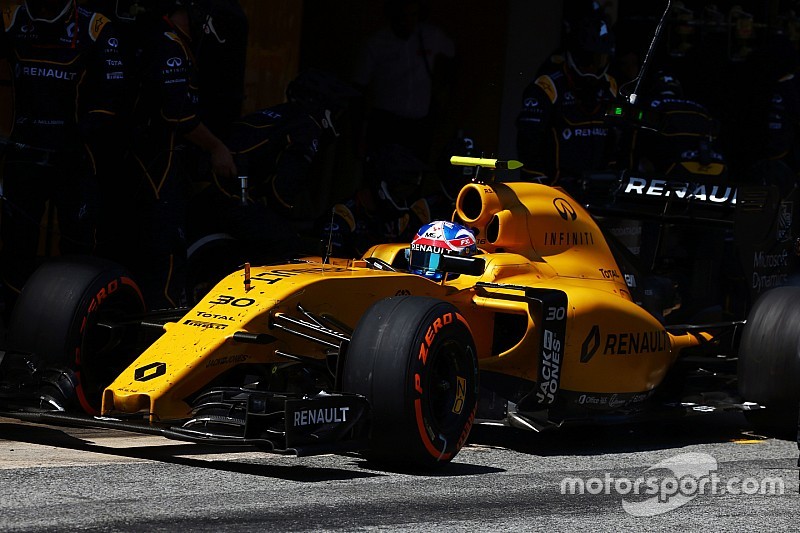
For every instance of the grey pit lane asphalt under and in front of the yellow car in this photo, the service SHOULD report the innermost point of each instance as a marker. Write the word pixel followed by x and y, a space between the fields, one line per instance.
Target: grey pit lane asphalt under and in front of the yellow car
pixel 59 479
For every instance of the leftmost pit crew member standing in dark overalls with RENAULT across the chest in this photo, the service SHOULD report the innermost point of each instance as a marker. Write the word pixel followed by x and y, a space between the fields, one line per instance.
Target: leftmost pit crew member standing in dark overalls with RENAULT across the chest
pixel 67 77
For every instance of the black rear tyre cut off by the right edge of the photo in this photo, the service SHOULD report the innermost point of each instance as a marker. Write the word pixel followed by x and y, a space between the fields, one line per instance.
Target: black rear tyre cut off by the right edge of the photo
pixel 769 359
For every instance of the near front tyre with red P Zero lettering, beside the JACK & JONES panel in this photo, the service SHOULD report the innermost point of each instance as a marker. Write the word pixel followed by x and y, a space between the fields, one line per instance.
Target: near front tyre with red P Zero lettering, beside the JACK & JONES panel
pixel 414 359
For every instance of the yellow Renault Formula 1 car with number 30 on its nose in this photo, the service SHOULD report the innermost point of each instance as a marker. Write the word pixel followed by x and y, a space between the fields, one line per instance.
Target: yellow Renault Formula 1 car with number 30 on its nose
pixel 540 327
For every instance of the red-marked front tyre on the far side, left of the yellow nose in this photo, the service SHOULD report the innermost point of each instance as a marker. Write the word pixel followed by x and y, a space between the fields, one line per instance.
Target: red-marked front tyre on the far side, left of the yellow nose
pixel 63 316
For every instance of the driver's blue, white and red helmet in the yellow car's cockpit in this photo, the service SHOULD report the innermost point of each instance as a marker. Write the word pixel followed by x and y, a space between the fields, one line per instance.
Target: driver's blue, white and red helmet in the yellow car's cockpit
pixel 436 239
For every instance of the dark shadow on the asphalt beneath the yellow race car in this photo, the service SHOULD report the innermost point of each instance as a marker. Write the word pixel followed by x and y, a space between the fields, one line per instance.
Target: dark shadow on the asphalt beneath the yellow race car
pixel 576 440
